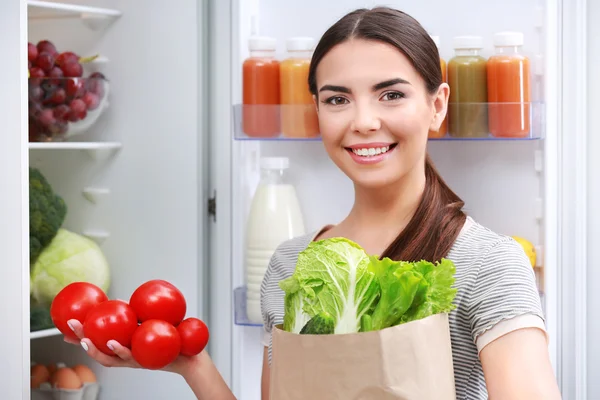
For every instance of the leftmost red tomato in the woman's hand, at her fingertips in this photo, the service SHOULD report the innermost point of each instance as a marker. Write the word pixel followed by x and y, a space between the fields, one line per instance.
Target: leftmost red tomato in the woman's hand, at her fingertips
pixel 74 301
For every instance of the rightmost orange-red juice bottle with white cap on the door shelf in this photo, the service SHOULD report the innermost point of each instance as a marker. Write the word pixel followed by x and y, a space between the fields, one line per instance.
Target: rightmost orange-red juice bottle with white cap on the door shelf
pixel 509 92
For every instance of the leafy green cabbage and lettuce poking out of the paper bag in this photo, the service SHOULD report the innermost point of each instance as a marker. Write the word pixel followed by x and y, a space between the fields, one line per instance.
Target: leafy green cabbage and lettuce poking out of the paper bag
pixel 337 278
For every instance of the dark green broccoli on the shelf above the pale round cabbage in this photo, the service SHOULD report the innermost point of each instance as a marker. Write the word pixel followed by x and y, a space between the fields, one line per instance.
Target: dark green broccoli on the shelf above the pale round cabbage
pixel 47 212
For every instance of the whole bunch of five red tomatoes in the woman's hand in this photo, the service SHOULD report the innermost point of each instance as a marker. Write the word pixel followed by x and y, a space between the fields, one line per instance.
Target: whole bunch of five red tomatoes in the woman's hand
pixel 151 325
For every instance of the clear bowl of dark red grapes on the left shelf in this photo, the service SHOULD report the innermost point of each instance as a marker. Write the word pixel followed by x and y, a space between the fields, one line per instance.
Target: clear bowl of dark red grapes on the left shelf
pixel 62 101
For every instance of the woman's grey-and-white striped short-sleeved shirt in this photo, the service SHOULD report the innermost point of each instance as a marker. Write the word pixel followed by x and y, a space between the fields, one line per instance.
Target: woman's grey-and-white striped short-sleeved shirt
pixel 496 293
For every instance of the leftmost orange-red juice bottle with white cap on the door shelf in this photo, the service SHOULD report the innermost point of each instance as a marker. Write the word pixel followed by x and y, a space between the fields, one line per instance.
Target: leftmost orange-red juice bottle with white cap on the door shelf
pixel 260 108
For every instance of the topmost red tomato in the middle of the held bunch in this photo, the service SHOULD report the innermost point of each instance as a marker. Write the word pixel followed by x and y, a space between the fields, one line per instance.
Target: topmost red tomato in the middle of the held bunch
pixel 158 299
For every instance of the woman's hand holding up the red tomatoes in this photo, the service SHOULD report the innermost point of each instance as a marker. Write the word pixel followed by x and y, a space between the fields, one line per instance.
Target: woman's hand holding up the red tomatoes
pixel 123 357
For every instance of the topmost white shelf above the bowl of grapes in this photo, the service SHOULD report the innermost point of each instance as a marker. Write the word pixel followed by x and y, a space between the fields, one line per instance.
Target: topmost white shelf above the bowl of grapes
pixel 94 17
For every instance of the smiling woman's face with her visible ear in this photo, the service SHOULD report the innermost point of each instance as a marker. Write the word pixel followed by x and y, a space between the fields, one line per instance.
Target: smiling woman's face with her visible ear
pixel 375 112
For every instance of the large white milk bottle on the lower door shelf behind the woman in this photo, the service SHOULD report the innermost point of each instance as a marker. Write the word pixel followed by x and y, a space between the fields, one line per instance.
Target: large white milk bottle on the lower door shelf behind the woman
pixel 274 217
